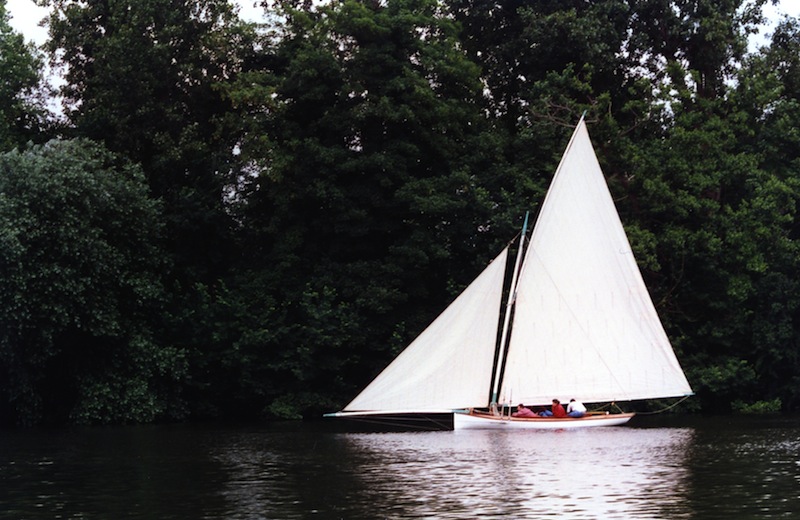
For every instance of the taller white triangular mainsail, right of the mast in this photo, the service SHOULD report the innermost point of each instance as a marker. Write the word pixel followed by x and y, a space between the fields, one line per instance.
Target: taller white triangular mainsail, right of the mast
pixel 585 325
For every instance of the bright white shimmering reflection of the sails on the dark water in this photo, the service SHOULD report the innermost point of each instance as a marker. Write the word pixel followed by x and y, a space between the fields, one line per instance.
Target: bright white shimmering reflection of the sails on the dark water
pixel 604 473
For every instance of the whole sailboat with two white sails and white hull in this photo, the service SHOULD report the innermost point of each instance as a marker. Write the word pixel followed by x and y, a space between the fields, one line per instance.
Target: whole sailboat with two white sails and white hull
pixel 578 322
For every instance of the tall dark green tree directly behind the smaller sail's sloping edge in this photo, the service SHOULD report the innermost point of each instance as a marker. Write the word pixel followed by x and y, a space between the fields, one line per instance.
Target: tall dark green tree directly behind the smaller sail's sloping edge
pixel 366 192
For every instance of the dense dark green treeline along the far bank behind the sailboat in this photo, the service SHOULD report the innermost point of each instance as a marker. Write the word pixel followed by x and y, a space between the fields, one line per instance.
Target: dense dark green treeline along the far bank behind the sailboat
pixel 234 220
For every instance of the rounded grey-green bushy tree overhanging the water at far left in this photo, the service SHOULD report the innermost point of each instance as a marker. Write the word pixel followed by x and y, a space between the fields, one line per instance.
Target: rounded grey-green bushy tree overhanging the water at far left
pixel 81 292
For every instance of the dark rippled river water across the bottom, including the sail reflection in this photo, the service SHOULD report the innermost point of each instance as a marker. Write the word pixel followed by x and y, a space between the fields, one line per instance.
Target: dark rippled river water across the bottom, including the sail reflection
pixel 698 468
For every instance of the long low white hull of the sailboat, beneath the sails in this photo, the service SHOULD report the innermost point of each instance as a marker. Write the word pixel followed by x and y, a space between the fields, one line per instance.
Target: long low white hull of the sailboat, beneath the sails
pixel 473 421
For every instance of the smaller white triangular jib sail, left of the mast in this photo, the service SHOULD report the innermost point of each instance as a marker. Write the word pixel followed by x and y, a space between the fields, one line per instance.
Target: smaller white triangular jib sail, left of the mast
pixel 449 365
